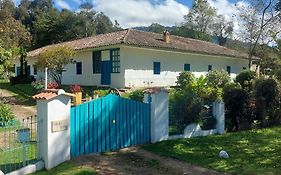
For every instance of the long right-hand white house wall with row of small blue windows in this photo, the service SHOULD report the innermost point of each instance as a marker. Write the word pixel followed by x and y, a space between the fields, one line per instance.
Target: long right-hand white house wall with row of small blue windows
pixel 138 65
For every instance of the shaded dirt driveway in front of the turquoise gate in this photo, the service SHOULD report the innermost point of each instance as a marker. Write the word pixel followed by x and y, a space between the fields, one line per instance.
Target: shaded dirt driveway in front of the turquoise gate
pixel 136 161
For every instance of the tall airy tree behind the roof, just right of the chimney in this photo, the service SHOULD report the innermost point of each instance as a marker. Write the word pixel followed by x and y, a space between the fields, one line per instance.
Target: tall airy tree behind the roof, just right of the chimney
pixel 201 16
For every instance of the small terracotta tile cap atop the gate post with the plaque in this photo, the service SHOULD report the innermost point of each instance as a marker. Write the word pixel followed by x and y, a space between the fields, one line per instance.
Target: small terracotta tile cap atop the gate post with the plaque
pixel 50 93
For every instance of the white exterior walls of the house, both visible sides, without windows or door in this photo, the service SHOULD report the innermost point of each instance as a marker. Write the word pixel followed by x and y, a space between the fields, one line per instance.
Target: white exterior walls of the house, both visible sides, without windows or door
pixel 136 68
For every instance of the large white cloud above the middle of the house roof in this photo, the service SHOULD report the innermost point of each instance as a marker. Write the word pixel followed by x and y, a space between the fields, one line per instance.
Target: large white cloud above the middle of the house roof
pixel 131 13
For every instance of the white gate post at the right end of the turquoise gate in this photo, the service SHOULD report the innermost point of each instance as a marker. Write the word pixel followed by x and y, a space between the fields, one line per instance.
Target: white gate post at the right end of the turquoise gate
pixel 159 113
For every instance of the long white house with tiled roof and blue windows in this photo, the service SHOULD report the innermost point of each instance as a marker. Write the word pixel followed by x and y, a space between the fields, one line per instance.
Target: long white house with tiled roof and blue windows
pixel 131 58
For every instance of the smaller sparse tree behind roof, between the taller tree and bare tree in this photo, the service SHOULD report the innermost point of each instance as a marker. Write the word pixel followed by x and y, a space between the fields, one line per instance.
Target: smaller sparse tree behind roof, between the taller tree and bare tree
pixel 222 29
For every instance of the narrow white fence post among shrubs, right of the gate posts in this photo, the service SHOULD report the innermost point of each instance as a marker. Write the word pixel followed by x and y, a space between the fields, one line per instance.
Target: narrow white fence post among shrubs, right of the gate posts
pixel 219 113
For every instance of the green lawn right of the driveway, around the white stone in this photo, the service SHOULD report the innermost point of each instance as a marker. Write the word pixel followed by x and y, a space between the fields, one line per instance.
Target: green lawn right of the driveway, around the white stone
pixel 251 152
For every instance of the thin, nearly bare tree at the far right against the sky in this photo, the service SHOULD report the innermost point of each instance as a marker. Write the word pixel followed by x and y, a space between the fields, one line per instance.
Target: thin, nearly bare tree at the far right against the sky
pixel 257 21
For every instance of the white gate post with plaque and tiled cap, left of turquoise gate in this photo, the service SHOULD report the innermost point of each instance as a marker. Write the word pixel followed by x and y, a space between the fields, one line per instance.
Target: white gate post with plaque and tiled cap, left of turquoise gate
pixel 53 111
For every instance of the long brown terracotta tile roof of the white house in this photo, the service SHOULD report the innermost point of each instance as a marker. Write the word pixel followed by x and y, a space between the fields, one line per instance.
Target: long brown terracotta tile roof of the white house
pixel 137 38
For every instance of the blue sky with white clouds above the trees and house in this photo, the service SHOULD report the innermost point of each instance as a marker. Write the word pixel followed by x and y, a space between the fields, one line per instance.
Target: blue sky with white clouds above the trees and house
pixel 132 13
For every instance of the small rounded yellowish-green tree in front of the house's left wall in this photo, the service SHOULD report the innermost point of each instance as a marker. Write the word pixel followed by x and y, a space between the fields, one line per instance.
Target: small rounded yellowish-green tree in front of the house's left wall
pixel 55 59
